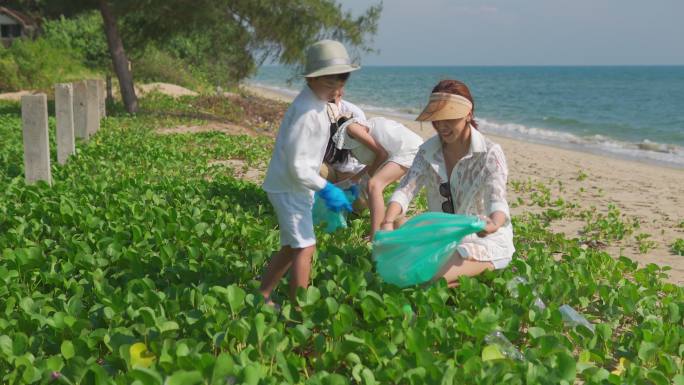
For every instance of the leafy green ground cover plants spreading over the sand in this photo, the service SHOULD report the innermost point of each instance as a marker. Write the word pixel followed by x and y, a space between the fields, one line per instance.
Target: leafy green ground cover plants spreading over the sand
pixel 140 265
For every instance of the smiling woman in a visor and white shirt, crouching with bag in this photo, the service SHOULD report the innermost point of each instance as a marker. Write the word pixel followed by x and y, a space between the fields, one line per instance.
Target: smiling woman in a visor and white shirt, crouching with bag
pixel 464 173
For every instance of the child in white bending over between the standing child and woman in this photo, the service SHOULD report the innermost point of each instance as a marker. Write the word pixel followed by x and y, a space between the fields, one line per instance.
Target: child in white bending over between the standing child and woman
pixel 386 147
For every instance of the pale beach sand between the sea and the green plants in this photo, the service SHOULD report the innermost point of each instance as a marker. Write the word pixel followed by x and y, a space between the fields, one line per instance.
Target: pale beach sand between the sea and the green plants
pixel 650 195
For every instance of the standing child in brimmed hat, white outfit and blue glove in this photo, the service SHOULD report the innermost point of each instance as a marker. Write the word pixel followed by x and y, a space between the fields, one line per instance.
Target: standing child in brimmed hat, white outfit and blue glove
pixel 293 173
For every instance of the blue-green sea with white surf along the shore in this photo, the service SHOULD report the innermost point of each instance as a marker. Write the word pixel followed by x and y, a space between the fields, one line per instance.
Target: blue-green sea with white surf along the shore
pixel 633 112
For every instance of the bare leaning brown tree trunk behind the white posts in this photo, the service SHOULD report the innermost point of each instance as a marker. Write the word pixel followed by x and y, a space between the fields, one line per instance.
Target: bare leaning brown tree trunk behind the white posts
pixel 119 59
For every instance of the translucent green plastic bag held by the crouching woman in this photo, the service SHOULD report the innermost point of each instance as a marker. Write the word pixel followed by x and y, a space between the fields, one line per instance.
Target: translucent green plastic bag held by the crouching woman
pixel 414 253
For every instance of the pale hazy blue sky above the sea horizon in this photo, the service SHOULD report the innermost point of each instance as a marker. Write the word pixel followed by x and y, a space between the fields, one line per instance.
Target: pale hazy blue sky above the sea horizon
pixel 526 32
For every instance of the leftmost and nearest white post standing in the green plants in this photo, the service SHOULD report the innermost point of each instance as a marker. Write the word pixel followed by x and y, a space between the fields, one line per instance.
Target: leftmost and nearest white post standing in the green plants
pixel 36 140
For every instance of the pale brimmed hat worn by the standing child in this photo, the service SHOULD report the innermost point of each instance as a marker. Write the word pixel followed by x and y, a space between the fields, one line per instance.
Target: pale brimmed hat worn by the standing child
pixel 327 57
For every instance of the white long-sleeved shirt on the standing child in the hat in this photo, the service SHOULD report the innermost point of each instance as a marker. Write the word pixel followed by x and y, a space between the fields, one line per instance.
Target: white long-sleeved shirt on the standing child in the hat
pixel 300 147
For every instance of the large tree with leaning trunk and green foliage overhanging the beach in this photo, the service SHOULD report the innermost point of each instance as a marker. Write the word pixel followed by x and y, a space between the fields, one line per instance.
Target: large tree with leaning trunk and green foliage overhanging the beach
pixel 233 36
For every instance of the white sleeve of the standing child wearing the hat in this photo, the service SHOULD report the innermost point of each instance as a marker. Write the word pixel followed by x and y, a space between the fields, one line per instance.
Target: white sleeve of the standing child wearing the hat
pixel 302 150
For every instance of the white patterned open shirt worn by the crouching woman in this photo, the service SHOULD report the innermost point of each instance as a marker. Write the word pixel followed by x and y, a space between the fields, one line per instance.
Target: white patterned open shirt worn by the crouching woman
pixel 477 183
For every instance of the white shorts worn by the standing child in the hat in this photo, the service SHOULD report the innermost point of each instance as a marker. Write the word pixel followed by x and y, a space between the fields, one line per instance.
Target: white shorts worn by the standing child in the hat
pixel 295 218
